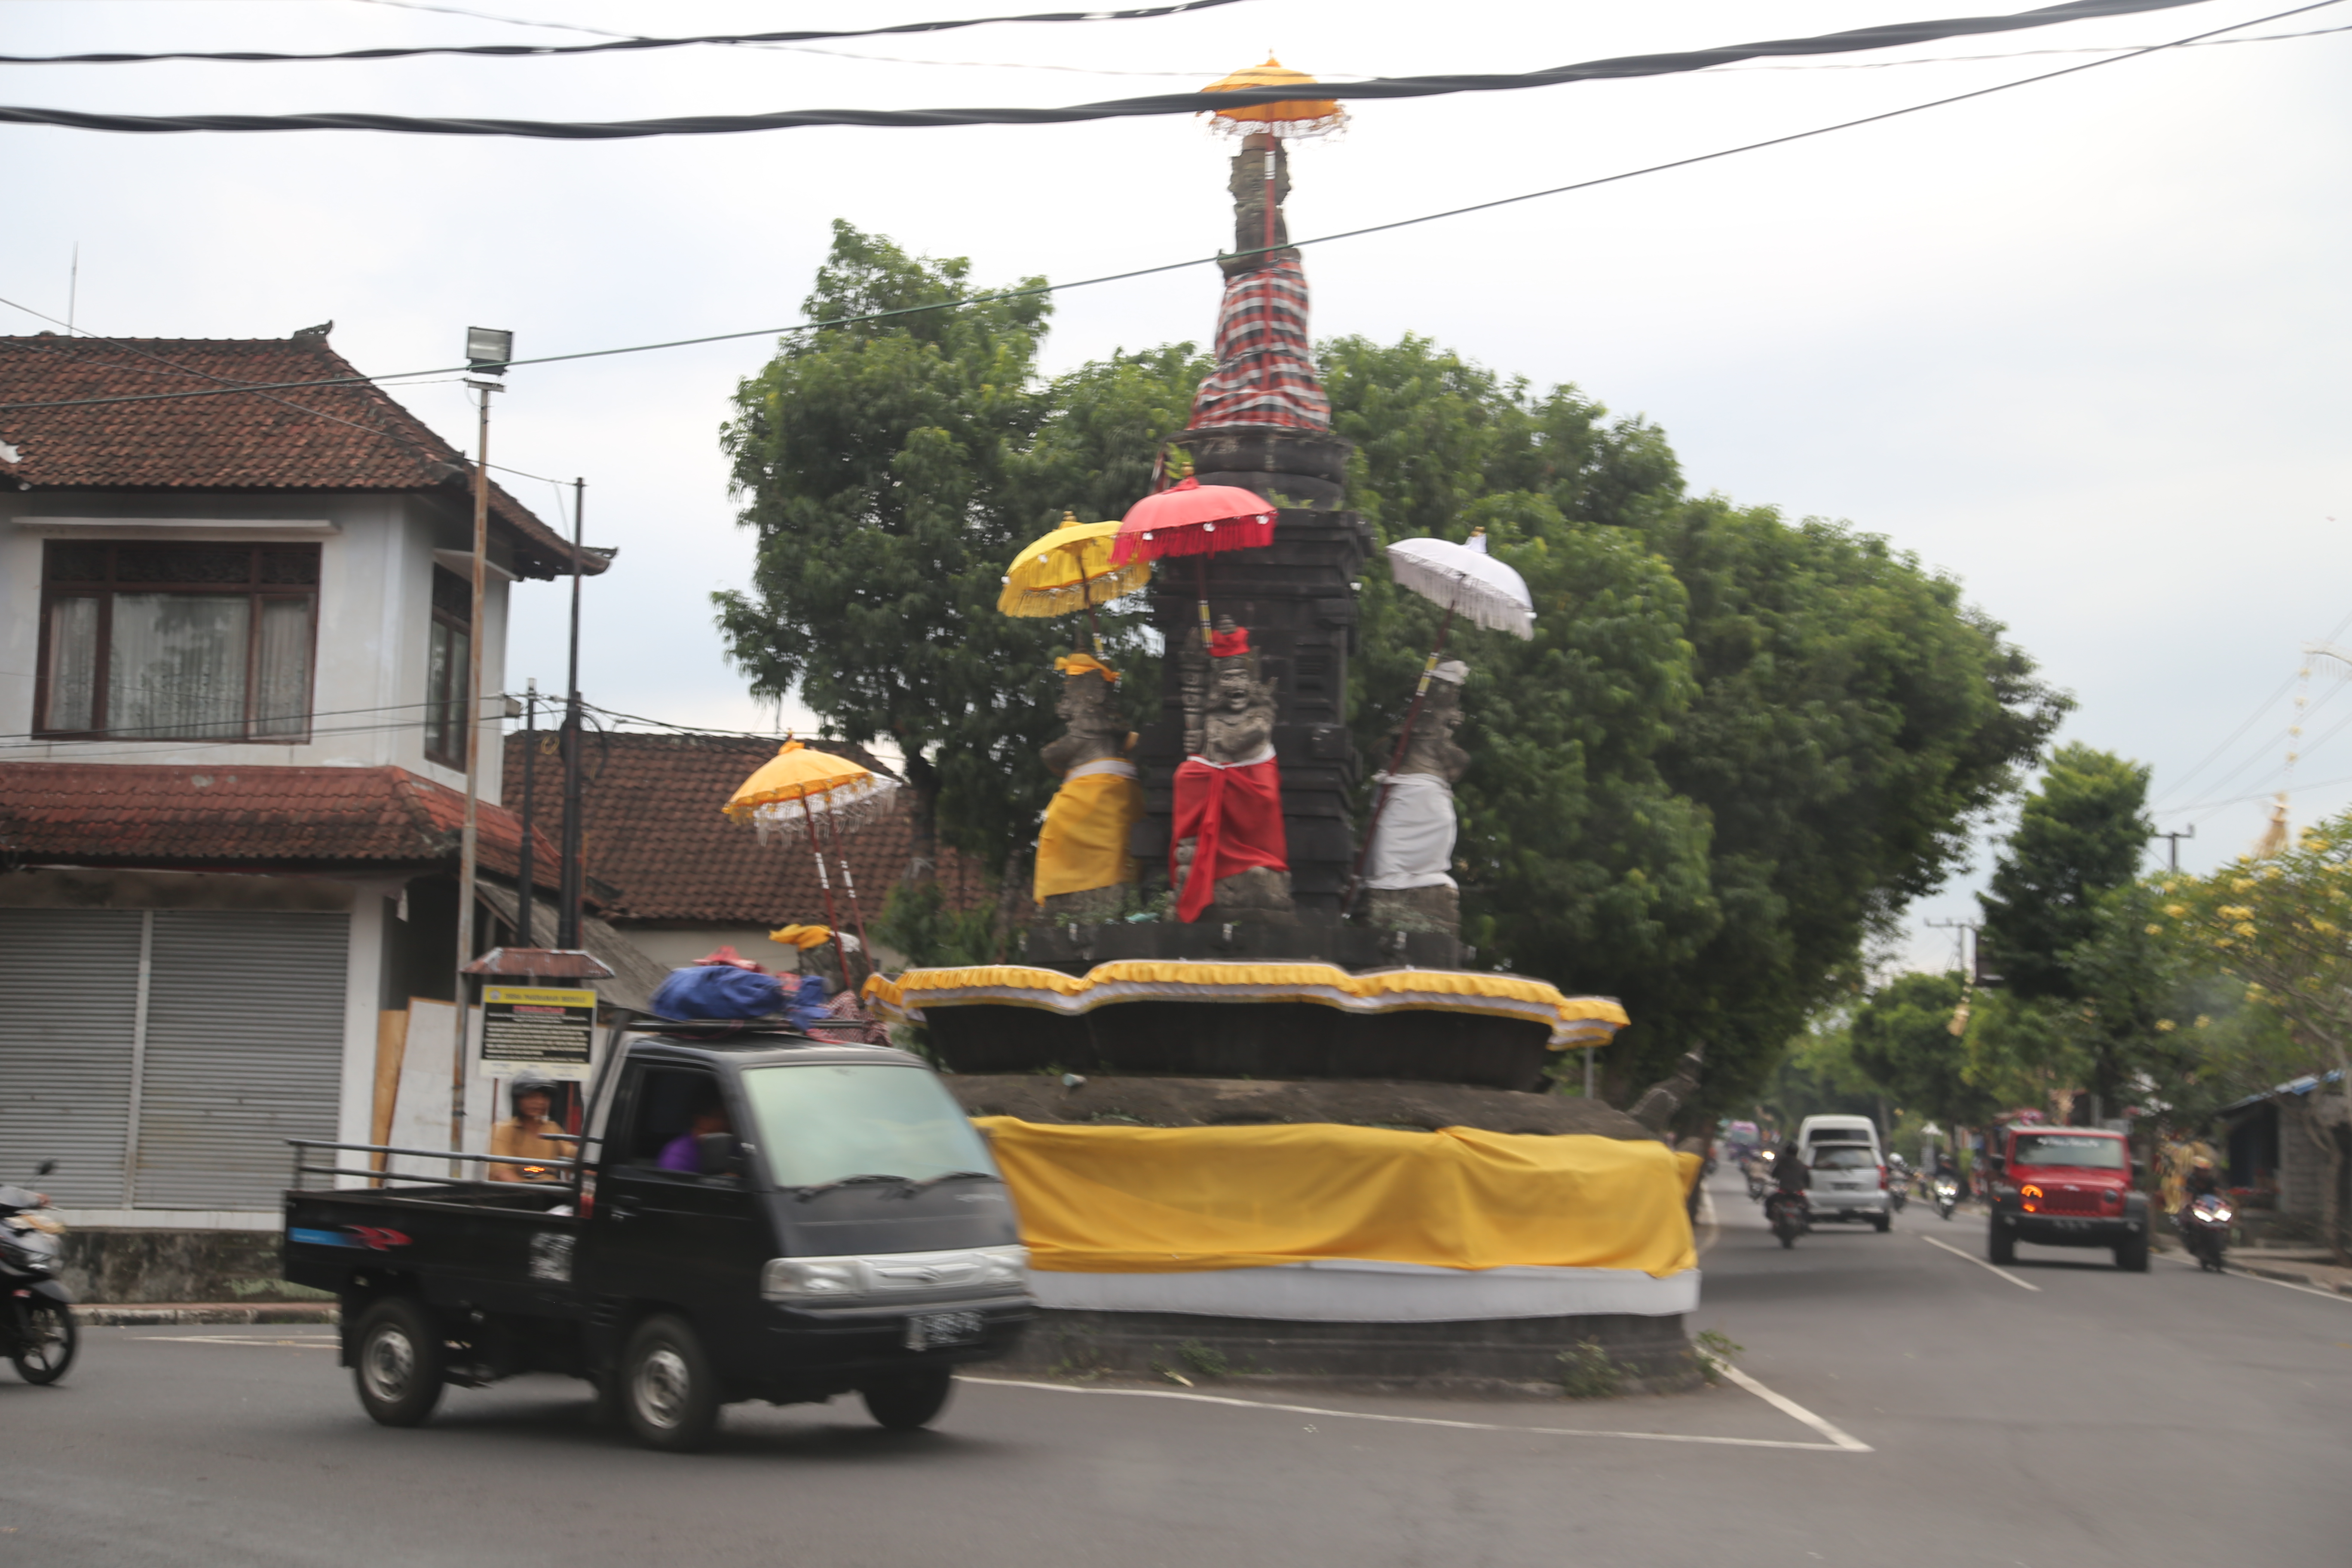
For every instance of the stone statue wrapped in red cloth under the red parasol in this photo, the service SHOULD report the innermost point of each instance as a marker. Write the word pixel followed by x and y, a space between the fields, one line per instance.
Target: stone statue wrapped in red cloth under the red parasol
pixel 1231 857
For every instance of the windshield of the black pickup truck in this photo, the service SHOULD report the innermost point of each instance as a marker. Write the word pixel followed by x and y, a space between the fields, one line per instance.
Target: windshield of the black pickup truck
pixel 824 1123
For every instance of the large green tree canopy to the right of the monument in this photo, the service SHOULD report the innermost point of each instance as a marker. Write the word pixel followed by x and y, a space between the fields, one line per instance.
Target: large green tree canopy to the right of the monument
pixel 1735 749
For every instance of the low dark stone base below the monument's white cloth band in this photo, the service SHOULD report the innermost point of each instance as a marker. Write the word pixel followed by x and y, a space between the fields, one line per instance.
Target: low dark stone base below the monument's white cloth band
pixel 1497 1358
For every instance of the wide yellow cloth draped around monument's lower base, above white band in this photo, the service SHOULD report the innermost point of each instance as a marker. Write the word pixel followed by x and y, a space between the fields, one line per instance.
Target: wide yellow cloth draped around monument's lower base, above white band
pixel 1137 1200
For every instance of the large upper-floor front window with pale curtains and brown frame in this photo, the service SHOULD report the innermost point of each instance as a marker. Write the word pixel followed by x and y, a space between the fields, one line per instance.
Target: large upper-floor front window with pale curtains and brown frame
pixel 178 641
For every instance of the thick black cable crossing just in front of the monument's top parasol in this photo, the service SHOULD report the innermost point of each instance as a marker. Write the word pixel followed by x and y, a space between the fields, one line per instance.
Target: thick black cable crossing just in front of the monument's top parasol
pixel 1123 109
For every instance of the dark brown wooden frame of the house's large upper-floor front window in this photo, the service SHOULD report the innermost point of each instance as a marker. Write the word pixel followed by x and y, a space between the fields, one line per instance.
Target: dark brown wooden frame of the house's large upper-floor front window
pixel 105 591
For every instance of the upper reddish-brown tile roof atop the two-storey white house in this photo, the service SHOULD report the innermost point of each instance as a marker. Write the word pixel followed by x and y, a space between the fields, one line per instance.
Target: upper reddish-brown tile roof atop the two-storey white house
pixel 300 438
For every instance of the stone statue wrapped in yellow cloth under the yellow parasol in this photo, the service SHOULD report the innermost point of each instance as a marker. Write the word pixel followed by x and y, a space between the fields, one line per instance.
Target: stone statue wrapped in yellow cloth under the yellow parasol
pixel 1085 869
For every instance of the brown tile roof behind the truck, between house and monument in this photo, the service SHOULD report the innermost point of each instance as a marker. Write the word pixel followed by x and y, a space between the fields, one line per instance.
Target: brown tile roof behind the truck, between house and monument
pixel 657 845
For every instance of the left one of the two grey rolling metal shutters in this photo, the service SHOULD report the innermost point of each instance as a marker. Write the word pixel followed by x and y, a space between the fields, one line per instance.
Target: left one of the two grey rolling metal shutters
pixel 69 1005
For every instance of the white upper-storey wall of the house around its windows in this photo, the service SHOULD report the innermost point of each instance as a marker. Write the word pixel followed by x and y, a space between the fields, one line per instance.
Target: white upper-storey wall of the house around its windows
pixel 377 556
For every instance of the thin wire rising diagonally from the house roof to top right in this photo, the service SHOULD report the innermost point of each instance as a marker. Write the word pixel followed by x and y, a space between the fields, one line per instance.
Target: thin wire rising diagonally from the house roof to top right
pixel 1175 267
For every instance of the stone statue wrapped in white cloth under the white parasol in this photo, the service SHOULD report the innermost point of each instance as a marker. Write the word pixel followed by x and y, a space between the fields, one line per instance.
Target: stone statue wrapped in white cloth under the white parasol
pixel 1408 869
